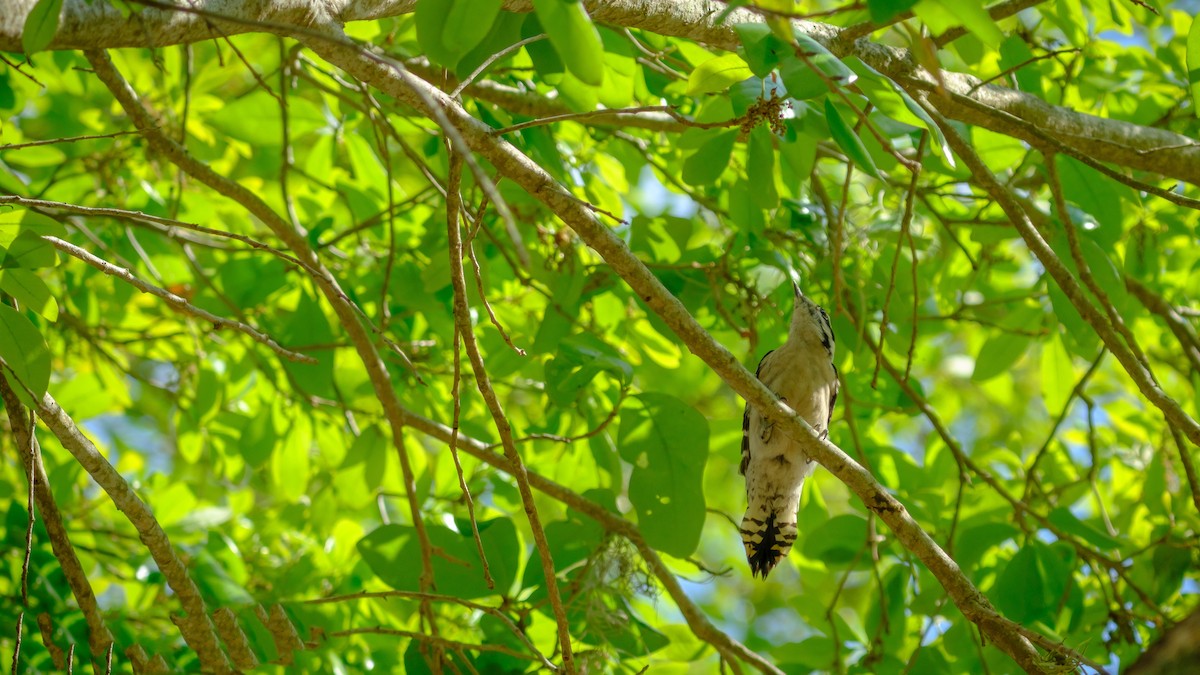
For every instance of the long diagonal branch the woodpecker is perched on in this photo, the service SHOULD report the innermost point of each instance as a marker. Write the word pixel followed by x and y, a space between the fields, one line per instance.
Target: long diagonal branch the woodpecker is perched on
pixel 526 174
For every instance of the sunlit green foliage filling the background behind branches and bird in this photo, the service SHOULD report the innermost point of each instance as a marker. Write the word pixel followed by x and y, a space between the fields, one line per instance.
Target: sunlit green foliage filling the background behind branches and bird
pixel 993 411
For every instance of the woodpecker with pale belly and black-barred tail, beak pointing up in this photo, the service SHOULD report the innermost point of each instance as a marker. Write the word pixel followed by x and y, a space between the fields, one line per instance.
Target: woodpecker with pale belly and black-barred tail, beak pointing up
pixel 802 374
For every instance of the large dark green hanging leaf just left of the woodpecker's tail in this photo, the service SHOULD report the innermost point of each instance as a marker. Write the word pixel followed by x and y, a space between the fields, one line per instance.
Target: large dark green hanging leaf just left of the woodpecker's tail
pixel 667 441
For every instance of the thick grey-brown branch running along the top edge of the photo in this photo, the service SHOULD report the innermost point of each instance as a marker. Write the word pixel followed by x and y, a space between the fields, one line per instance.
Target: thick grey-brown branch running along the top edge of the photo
pixel 99 26
